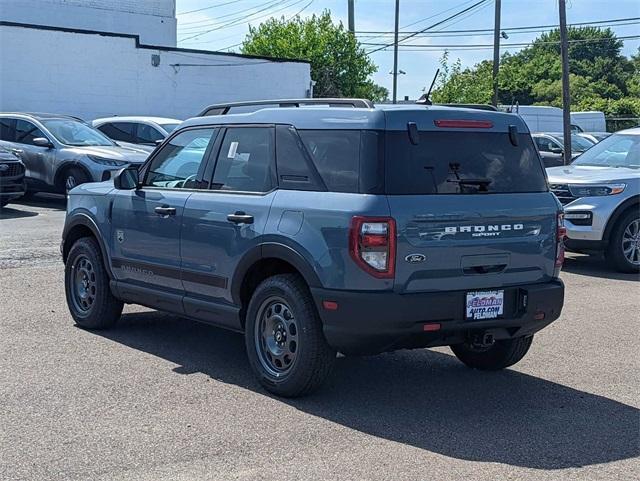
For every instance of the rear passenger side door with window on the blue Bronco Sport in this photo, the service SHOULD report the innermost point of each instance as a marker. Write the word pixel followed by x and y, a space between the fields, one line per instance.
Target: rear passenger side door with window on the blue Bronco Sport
pixel 222 224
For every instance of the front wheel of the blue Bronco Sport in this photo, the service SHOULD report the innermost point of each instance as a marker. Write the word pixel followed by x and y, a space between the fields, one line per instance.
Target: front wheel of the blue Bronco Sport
pixel 89 296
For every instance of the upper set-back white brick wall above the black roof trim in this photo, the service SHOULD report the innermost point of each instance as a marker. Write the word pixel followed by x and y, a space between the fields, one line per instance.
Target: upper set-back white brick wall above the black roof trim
pixel 153 20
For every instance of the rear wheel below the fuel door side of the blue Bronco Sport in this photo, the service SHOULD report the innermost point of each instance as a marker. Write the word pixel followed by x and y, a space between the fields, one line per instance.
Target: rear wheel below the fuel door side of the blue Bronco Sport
pixel 283 335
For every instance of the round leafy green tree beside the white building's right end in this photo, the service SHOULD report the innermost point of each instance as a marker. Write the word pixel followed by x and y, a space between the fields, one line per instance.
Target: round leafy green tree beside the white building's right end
pixel 339 65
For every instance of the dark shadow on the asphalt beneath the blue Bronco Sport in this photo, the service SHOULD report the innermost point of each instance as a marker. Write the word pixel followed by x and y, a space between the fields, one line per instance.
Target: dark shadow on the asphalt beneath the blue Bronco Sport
pixel 420 398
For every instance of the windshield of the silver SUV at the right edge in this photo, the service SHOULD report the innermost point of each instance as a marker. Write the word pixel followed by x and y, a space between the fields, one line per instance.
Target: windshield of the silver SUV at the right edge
pixel 618 150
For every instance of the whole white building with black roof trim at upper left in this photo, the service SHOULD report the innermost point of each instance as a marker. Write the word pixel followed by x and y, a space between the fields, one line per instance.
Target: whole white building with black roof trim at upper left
pixel 95 58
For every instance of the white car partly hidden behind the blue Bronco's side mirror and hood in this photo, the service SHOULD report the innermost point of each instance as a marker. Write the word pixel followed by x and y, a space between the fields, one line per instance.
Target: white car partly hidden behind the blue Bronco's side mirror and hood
pixel 144 132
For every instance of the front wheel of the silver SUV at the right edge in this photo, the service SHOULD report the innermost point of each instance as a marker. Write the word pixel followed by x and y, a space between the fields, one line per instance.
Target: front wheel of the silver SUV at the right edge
pixel 623 251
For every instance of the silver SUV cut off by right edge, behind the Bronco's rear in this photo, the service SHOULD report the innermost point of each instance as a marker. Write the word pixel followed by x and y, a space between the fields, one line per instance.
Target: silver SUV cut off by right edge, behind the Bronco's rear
pixel 601 194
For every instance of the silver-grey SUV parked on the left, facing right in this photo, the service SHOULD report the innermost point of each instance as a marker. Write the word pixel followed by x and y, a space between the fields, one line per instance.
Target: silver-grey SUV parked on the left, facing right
pixel 60 152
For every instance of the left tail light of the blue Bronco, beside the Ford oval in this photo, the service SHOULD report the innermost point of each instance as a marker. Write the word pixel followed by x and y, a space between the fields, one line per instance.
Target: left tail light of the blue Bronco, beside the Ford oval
pixel 372 244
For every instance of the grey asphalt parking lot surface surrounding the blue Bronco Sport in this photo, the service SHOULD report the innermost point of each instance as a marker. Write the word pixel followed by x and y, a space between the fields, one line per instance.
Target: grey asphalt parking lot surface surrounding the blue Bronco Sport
pixel 163 398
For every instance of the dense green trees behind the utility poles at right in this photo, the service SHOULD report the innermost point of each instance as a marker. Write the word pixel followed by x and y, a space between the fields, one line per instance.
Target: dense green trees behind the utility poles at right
pixel 601 78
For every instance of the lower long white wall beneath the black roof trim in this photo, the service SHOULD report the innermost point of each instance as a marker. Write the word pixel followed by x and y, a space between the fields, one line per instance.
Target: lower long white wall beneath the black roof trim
pixel 92 75
